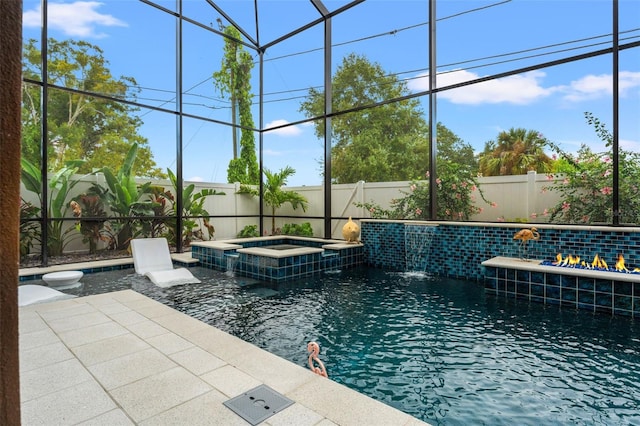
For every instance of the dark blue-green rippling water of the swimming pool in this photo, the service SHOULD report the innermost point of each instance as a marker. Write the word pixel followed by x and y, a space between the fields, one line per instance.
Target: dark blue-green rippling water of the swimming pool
pixel 439 349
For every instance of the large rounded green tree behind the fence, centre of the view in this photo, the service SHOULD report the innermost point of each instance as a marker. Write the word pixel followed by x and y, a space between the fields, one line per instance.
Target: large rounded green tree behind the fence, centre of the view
pixel 388 142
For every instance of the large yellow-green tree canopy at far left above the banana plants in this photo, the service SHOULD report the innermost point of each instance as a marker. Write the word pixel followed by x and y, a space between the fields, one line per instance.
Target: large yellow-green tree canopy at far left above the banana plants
pixel 100 131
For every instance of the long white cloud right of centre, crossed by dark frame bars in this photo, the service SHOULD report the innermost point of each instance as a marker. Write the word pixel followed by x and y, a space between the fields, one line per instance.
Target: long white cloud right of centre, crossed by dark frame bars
pixel 518 89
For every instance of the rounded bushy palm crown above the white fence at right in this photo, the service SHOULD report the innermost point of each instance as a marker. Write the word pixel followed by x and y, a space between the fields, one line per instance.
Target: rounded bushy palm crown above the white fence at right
pixel 515 152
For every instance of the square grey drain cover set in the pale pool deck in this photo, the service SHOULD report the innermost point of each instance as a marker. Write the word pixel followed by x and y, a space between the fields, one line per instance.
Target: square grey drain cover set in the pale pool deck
pixel 258 404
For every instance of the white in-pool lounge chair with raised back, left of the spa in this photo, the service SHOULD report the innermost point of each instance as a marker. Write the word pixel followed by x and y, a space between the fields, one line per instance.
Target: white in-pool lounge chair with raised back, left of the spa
pixel 151 258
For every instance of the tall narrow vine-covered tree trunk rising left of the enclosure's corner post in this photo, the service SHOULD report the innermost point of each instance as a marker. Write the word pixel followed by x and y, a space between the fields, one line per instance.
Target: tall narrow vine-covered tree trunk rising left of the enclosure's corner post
pixel 234 79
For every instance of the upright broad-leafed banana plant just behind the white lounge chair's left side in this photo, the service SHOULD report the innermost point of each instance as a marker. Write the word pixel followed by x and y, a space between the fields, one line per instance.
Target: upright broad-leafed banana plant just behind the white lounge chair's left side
pixel 126 199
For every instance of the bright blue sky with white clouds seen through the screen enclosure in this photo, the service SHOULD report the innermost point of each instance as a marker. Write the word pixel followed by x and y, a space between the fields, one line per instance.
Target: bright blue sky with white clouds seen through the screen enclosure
pixel 475 38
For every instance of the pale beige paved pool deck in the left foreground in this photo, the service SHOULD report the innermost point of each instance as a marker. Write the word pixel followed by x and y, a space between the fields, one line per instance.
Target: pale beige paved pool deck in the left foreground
pixel 122 358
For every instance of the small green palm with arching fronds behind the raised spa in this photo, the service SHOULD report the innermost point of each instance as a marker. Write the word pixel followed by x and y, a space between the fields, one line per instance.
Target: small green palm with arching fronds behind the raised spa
pixel 274 195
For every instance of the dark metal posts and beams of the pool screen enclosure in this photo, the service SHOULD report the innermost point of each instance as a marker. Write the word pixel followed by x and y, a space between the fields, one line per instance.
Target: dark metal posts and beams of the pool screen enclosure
pixel 324 18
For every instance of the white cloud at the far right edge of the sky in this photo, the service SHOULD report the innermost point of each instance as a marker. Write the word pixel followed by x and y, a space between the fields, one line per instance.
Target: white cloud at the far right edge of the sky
pixel 599 86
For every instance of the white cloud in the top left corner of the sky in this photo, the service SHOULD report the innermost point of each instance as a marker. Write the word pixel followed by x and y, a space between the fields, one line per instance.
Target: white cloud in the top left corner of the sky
pixel 77 19
